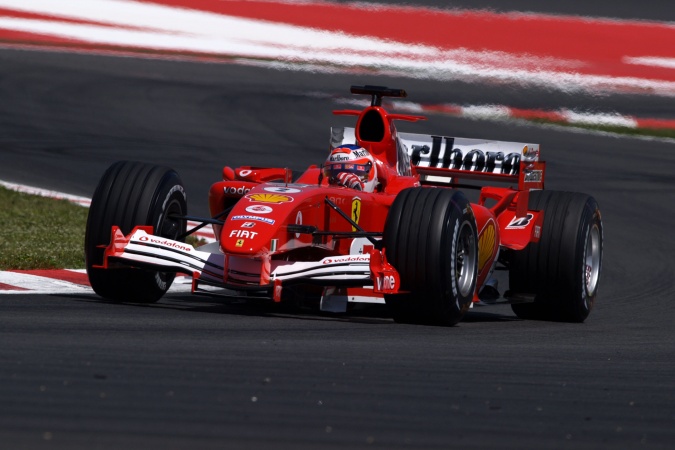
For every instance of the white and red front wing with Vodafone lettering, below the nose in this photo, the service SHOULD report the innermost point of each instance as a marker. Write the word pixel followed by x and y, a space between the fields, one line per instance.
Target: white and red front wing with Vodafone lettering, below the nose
pixel 142 249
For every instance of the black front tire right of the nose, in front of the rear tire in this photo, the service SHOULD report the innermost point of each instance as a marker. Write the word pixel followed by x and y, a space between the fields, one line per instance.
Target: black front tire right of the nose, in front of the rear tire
pixel 430 238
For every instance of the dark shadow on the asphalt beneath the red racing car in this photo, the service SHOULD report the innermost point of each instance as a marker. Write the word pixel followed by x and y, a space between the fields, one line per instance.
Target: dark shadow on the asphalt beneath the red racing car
pixel 253 307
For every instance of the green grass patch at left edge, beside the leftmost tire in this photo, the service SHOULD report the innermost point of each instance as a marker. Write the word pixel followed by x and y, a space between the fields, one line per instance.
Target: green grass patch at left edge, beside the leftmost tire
pixel 40 233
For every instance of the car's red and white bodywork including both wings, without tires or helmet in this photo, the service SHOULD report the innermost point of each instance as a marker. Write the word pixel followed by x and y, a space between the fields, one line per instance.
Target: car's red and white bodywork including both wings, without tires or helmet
pixel 277 232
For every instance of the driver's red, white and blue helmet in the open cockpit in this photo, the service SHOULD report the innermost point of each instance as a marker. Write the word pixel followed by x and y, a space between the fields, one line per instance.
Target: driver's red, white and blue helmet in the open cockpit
pixel 351 159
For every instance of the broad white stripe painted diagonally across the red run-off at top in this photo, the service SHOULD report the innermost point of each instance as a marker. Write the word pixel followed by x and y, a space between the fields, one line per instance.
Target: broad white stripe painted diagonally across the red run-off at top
pixel 172 29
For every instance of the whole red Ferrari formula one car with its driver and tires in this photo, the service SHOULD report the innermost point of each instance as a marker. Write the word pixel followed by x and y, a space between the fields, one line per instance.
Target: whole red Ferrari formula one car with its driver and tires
pixel 384 220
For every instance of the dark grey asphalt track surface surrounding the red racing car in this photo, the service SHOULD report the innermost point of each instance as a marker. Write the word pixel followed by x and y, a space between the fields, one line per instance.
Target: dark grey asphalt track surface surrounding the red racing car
pixel 202 372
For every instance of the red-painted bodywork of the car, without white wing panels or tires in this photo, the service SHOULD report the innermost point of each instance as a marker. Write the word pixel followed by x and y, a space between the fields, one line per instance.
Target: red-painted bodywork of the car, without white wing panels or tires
pixel 256 237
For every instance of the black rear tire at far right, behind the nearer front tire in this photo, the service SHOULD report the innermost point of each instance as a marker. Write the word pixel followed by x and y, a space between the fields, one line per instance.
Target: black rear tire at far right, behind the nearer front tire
pixel 562 270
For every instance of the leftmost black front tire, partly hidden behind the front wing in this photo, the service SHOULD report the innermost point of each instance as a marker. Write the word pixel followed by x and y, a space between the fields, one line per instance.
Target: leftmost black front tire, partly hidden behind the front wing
pixel 130 194
